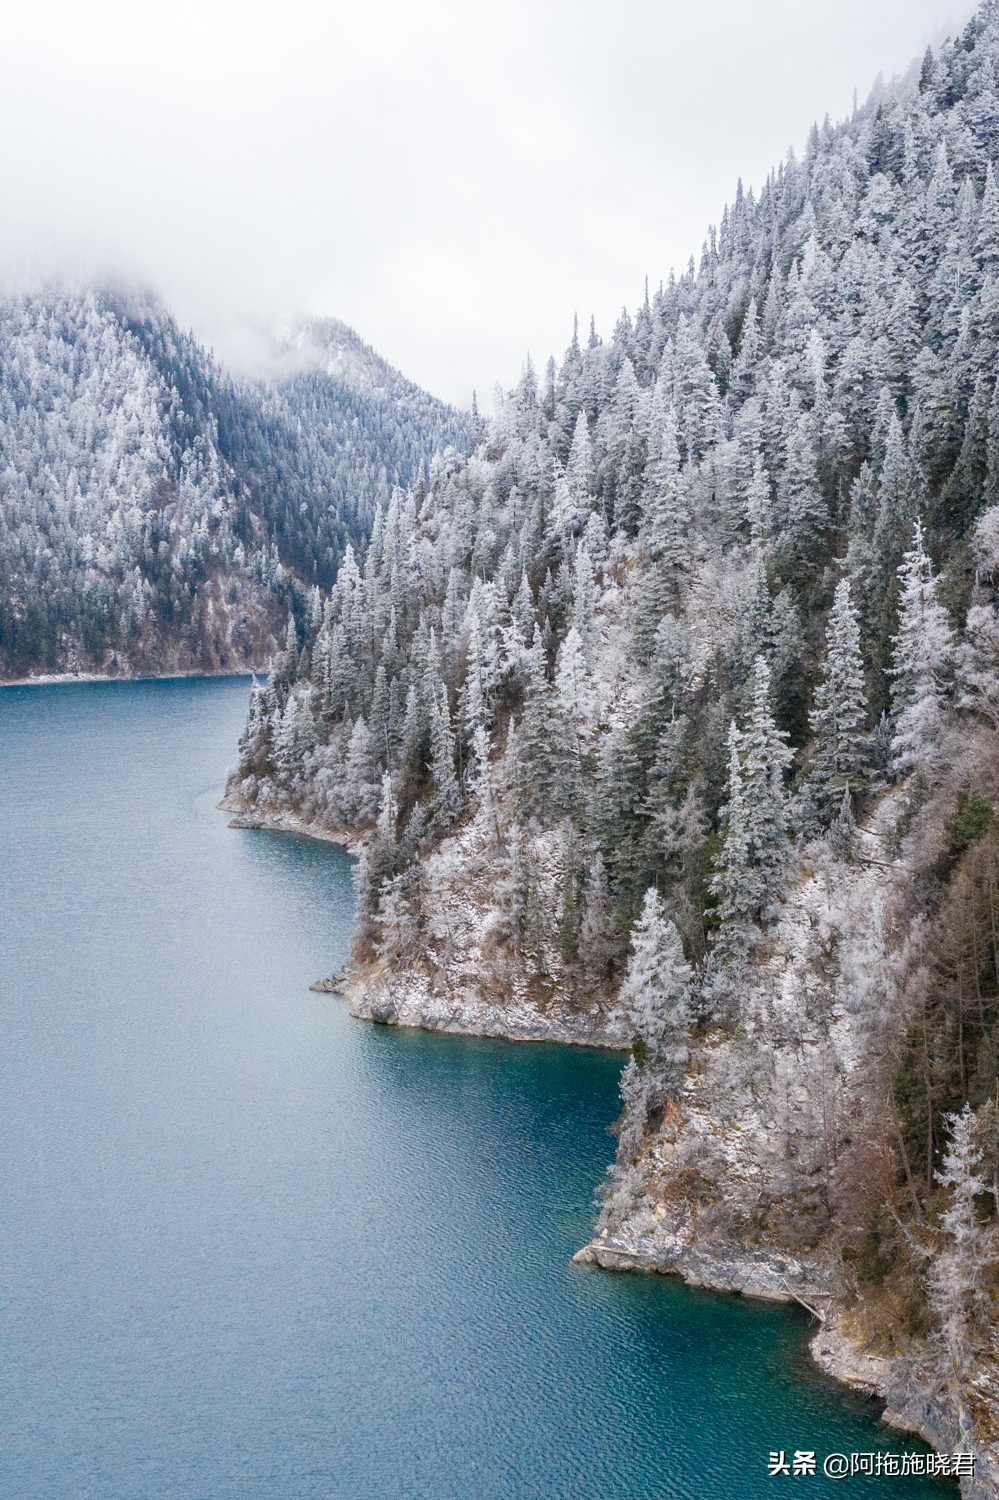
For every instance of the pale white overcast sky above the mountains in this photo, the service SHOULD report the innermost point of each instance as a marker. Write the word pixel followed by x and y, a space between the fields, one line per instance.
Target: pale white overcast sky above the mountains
pixel 454 179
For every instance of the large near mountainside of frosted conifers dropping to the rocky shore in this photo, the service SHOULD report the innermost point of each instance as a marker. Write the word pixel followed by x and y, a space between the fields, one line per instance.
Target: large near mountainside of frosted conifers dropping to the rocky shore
pixel 671 713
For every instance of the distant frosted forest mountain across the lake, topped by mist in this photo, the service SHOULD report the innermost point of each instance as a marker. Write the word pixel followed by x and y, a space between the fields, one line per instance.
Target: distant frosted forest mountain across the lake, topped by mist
pixel 157 514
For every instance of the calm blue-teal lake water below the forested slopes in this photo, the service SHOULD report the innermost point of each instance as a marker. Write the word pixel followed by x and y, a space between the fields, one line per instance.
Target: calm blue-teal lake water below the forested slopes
pixel 254 1249
